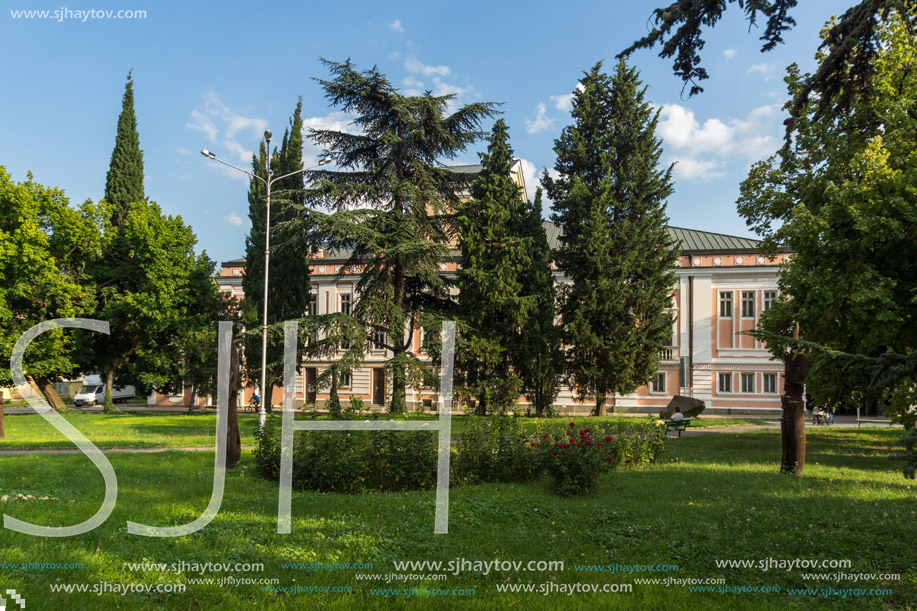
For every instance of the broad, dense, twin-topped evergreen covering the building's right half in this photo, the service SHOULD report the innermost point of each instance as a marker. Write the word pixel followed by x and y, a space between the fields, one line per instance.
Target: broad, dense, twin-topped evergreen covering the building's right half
pixel 609 200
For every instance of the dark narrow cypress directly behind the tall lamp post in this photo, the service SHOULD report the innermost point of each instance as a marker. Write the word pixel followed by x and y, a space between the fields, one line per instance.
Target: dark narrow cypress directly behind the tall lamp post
pixel 289 288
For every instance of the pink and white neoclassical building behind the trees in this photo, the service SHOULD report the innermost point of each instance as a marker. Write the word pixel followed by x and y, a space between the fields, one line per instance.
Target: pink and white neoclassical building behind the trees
pixel 723 286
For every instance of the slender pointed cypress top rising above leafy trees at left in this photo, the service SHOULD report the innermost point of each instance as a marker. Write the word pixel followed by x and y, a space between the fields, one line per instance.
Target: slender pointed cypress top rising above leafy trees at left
pixel 124 182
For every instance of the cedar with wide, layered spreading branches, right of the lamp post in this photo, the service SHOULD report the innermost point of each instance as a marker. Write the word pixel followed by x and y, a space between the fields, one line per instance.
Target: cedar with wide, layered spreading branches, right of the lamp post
pixel 391 195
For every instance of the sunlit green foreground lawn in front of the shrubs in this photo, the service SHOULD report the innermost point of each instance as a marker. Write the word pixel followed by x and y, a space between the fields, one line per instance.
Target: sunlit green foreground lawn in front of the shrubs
pixel 713 497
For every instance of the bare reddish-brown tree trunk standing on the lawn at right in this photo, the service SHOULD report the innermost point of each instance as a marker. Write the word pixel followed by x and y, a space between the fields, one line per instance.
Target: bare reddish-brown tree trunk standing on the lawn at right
pixel 793 423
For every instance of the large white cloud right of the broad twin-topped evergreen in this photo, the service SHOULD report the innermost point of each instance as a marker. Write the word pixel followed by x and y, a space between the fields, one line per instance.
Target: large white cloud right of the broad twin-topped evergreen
pixel 703 150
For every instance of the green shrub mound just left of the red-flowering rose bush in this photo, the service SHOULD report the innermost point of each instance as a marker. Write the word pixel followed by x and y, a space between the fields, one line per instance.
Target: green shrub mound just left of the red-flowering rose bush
pixel 494 450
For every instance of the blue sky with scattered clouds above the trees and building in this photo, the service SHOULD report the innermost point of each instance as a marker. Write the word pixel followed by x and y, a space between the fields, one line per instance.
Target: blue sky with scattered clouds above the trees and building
pixel 214 75
